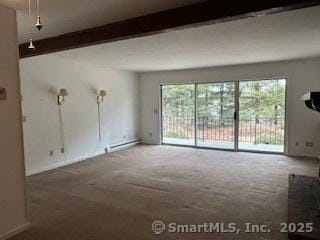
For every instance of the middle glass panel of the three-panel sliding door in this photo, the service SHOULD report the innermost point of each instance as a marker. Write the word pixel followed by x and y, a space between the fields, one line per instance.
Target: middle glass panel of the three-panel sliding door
pixel 215 115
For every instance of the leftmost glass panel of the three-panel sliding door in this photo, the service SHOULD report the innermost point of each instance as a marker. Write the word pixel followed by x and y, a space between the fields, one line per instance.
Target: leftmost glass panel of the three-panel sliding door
pixel 178 112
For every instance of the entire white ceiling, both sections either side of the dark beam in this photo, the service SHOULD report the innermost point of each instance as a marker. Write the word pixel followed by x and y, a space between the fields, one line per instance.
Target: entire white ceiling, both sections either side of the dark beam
pixel 282 36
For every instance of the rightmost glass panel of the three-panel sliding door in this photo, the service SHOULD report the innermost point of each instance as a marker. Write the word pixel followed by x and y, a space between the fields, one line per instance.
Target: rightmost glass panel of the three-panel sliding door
pixel 262 115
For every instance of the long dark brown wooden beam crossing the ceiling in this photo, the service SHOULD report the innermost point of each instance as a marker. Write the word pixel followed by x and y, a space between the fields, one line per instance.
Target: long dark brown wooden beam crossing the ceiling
pixel 204 13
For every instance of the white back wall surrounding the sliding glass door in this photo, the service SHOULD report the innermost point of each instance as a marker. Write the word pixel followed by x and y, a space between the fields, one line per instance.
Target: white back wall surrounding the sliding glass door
pixel 303 76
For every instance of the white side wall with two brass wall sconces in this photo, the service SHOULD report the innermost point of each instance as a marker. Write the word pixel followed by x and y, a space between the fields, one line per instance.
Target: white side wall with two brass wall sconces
pixel 42 77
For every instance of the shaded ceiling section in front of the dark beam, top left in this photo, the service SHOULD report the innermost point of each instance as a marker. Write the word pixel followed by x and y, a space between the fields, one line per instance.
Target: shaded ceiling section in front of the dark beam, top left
pixel 64 16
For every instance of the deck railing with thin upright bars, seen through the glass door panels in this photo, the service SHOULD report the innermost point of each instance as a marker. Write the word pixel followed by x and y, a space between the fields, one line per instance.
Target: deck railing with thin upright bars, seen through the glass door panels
pixel 251 130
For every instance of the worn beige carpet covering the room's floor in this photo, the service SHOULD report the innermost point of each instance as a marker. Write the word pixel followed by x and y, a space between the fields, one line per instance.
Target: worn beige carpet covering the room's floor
pixel 120 195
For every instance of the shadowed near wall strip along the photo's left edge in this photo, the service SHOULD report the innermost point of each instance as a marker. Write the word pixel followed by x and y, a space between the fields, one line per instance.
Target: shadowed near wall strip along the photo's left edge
pixel 13 218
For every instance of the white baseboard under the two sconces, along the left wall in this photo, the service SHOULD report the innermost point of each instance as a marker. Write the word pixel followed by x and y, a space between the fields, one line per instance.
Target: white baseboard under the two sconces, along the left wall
pixel 62 164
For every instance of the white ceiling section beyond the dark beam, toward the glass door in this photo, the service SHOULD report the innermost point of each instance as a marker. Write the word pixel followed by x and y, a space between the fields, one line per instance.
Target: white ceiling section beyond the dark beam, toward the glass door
pixel 282 36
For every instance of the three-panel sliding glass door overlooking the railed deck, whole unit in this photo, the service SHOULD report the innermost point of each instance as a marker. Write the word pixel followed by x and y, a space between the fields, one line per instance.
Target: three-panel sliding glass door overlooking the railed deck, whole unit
pixel 243 115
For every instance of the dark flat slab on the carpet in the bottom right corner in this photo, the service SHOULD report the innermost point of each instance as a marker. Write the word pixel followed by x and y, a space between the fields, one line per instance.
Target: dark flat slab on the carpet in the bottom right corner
pixel 304 206
